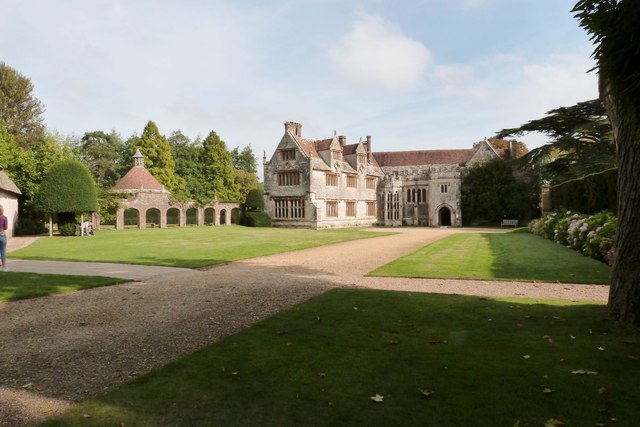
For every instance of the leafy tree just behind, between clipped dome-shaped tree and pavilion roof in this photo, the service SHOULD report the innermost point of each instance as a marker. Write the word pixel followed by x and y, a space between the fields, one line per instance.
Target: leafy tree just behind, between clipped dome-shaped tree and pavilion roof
pixel 102 152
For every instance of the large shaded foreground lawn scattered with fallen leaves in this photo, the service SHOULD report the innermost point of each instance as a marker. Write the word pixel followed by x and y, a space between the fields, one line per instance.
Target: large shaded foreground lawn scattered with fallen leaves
pixel 440 360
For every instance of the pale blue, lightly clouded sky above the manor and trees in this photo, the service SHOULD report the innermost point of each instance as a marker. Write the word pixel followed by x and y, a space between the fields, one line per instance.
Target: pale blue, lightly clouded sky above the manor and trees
pixel 413 74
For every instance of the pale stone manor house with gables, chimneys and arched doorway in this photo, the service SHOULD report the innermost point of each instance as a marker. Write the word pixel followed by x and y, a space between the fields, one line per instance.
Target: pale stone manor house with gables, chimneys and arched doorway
pixel 328 183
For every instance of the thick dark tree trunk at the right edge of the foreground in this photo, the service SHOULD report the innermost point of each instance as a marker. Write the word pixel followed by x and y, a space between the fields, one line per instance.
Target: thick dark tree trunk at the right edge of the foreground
pixel 624 295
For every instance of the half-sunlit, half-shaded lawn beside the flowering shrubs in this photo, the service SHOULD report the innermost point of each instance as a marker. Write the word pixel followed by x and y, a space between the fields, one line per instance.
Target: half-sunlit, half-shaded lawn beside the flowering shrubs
pixel 498 256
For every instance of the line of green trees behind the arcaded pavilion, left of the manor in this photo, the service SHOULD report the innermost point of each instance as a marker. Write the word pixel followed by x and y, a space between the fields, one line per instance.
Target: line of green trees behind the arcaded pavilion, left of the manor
pixel 192 169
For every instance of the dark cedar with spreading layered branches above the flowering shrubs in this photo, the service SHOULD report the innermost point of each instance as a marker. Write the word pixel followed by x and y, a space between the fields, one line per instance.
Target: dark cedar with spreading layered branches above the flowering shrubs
pixel 581 142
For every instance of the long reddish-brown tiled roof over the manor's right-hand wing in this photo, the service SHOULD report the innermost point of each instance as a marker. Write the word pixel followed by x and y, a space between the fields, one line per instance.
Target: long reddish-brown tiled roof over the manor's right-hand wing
pixel 423 157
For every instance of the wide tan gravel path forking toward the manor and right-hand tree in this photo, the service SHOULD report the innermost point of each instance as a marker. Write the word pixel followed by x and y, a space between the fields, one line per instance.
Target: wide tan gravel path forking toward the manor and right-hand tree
pixel 66 348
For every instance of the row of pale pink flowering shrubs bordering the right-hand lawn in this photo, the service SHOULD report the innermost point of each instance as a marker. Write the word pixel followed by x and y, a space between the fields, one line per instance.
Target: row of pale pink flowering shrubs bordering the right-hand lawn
pixel 592 235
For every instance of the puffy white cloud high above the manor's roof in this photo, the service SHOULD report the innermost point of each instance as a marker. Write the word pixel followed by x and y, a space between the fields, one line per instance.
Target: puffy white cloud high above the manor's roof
pixel 375 52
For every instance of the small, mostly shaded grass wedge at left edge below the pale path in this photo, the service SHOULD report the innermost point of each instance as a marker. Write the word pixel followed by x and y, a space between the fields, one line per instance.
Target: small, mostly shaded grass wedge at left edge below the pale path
pixel 14 286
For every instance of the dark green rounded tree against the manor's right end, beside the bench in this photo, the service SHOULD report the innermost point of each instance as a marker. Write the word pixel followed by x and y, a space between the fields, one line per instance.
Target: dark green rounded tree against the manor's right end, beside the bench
pixel 491 192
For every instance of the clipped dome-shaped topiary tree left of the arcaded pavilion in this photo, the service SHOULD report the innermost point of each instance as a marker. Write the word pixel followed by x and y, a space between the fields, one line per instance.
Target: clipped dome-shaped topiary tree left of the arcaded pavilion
pixel 67 189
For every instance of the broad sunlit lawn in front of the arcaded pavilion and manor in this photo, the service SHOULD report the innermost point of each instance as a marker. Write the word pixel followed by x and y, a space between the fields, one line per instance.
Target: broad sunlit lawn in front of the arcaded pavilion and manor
pixel 189 247
